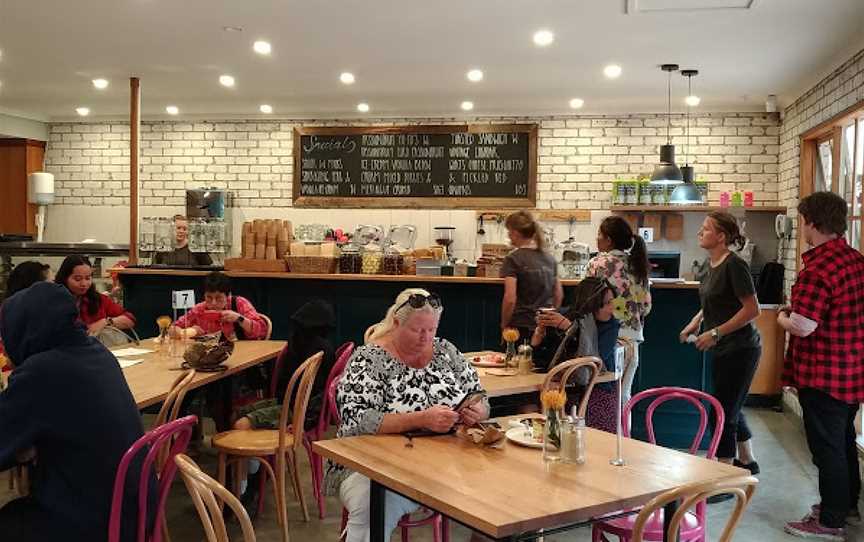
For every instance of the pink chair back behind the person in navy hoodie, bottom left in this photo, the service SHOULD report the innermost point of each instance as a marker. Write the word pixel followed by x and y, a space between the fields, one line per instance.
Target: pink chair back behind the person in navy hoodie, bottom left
pixel 175 435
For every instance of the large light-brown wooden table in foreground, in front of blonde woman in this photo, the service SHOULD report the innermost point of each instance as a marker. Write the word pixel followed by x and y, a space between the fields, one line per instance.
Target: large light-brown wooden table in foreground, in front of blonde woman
pixel 509 493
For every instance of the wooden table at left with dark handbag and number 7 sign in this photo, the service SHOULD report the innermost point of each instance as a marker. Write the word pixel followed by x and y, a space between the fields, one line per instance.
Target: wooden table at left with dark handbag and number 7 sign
pixel 150 381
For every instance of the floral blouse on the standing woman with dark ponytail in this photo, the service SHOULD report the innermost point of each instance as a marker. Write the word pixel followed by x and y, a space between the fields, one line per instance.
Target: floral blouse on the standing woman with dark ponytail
pixel 634 300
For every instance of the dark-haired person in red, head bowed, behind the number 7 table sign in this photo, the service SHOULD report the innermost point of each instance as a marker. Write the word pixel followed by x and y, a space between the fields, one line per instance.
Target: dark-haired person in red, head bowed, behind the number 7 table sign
pixel 221 311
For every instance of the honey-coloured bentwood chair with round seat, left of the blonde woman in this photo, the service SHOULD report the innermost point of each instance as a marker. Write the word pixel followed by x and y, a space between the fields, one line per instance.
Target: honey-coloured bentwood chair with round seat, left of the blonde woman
pixel 284 443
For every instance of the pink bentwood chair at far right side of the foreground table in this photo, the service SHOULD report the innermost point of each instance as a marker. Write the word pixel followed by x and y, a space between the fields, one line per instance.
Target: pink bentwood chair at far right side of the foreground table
pixel 693 525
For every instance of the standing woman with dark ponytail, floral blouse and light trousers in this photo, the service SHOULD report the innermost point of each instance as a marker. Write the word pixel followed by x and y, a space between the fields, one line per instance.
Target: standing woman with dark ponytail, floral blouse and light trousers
pixel 623 260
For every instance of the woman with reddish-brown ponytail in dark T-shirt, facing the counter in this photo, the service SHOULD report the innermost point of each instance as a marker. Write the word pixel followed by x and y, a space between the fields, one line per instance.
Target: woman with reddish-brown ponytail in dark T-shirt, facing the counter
pixel 530 275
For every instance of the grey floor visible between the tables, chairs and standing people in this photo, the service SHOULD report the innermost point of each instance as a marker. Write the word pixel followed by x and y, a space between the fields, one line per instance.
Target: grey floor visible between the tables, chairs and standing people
pixel 787 488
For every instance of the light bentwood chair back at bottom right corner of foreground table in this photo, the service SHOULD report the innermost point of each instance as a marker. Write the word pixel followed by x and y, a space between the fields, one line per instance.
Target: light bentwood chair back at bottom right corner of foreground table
pixel 741 488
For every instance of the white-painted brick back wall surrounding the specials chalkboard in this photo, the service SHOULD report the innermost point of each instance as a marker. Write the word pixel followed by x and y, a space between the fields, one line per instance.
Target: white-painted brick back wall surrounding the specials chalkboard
pixel 578 157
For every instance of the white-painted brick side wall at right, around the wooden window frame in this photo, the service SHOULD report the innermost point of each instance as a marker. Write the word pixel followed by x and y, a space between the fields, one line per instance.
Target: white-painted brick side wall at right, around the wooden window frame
pixel 839 91
